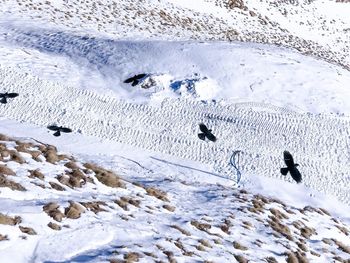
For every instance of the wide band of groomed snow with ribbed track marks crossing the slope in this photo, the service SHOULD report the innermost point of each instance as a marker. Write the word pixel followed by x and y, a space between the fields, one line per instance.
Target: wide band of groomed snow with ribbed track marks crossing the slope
pixel 319 143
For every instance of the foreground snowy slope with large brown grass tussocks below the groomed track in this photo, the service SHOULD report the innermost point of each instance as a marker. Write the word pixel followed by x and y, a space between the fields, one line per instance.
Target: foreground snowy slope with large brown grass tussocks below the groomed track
pixel 57 207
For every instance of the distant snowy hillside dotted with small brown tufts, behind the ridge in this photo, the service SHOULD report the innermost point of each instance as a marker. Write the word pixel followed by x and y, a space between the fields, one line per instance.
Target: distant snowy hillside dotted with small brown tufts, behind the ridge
pixel 320 28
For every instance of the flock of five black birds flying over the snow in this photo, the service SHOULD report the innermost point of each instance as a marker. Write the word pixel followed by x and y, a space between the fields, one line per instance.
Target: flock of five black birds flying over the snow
pixel 205 132
